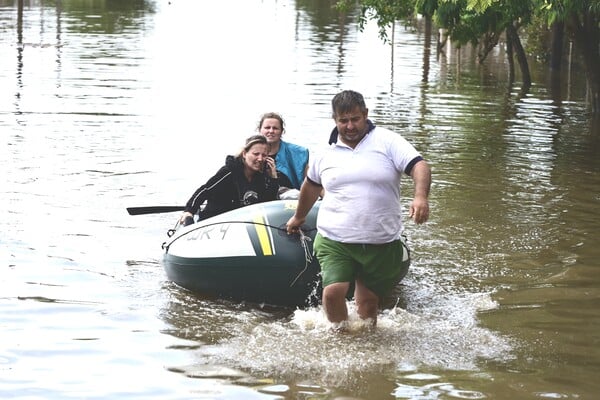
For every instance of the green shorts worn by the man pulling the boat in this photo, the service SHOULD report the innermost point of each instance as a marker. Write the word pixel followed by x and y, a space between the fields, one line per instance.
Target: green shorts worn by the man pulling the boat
pixel 378 266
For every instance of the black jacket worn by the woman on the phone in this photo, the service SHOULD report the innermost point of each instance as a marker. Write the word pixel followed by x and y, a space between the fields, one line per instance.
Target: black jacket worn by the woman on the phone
pixel 229 189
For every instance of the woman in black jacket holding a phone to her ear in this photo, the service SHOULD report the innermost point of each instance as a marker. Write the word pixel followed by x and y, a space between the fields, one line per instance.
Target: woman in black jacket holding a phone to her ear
pixel 248 178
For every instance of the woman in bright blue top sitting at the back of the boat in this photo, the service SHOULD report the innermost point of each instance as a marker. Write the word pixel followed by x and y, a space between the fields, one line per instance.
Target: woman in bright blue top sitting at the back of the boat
pixel 291 159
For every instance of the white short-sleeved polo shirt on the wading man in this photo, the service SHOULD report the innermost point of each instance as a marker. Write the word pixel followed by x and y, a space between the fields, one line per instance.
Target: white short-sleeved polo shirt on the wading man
pixel 362 187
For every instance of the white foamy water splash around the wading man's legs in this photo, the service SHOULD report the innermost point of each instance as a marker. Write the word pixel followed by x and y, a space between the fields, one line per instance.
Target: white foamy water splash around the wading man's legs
pixel 305 345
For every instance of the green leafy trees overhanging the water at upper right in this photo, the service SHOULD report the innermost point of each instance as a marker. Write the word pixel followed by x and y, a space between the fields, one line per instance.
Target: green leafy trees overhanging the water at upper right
pixel 482 22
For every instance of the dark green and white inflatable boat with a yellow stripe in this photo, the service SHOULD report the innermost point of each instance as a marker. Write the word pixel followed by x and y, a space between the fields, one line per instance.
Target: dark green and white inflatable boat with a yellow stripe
pixel 247 255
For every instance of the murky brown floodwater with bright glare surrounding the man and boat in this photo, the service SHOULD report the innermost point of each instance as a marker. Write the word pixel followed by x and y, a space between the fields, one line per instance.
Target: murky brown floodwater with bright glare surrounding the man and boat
pixel 107 105
